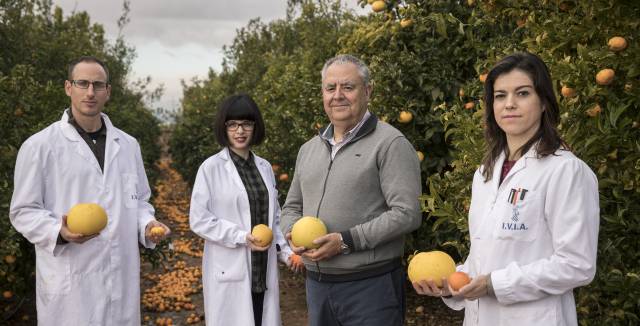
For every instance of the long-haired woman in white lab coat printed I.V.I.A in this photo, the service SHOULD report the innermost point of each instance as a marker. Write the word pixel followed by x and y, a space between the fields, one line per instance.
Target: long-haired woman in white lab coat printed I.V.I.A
pixel 534 215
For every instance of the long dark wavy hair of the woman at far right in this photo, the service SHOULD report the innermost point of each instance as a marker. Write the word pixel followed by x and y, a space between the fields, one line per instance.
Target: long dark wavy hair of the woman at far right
pixel 547 136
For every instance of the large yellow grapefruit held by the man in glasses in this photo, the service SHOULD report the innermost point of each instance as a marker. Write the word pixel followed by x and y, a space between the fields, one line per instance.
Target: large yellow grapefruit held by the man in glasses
pixel 86 218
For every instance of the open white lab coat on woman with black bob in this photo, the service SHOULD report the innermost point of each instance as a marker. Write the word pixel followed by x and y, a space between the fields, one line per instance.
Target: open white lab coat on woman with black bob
pixel 220 214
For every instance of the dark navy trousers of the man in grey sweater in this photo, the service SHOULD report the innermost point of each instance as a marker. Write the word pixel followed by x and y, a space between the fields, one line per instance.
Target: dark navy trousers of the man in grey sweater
pixel 375 301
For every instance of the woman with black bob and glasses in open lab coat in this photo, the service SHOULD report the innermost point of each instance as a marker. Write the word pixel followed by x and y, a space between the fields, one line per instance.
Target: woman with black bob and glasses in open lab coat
pixel 234 191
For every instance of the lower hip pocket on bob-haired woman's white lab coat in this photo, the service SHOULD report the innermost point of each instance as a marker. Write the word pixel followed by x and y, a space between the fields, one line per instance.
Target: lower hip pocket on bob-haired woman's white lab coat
pixel 229 264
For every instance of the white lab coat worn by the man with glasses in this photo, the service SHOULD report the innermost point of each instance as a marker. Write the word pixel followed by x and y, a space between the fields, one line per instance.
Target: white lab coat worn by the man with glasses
pixel 97 282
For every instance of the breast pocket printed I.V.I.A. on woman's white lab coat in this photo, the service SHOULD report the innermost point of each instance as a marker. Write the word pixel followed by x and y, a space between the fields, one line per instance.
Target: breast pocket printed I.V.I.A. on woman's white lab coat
pixel 519 221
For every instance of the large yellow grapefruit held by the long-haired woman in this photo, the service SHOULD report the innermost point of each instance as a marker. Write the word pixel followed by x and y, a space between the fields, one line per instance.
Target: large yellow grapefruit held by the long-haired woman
pixel 432 265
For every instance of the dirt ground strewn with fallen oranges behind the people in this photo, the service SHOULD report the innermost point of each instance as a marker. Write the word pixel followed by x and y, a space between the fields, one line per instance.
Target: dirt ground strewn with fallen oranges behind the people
pixel 171 292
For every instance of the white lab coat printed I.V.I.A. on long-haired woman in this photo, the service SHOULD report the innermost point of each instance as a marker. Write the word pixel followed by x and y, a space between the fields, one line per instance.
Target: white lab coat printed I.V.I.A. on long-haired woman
pixel 537 248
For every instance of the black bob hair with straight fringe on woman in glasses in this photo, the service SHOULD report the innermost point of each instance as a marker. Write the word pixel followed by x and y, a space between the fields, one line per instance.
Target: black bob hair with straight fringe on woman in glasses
pixel 239 107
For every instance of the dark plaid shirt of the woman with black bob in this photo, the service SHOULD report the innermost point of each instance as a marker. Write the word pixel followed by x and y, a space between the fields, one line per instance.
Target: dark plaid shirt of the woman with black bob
pixel 259 207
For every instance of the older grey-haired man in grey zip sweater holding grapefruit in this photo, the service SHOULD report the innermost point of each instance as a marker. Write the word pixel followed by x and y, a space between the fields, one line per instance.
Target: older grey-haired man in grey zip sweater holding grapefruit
pixel 361 177
